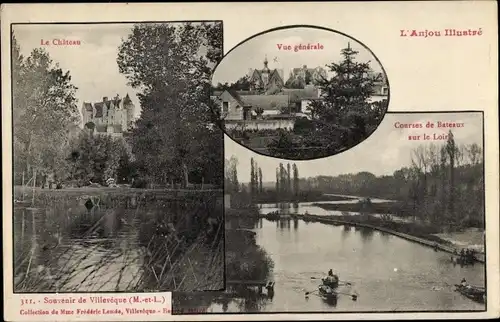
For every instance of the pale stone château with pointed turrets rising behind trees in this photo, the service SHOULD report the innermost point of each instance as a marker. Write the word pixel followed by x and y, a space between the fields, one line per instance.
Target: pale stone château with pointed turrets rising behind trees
pixel 110 116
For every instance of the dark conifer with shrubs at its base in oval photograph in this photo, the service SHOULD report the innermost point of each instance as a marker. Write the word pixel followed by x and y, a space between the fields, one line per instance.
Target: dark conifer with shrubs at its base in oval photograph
pixel 343 117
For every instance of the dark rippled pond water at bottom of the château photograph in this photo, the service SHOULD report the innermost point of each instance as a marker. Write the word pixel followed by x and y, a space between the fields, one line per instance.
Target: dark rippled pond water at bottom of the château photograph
pixel 120 249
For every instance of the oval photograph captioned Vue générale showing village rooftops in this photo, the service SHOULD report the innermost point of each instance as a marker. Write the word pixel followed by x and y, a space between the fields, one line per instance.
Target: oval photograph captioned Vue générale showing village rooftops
pixel 299 93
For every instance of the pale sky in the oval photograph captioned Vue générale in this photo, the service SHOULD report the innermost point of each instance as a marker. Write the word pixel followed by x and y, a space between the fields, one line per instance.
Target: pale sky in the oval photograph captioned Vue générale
pixel 251 53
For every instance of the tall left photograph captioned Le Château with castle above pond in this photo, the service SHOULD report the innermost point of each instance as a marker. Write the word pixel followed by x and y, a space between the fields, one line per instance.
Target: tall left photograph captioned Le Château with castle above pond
pixel 118 169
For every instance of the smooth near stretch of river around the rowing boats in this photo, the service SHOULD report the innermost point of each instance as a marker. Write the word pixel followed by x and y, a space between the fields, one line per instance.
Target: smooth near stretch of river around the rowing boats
pixel 388 273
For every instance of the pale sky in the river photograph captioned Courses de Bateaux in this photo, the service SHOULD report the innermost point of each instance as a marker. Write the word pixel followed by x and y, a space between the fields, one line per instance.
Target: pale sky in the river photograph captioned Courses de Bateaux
pixel 386 150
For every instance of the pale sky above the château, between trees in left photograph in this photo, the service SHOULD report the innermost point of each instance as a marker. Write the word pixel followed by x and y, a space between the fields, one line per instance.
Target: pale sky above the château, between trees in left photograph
pixel 92 65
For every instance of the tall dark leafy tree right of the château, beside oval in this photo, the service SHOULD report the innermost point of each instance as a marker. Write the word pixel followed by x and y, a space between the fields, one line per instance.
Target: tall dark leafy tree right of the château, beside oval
pixel 164 62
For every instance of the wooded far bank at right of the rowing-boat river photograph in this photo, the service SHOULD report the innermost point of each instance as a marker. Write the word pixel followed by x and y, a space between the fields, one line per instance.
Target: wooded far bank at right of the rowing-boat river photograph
pixel 444 185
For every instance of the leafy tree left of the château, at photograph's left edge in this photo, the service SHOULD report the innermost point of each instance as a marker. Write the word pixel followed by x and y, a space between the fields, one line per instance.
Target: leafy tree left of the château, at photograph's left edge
pixel 44 113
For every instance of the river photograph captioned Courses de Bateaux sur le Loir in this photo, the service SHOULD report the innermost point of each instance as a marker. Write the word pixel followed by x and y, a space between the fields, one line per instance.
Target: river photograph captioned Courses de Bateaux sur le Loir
pixel 396 224
